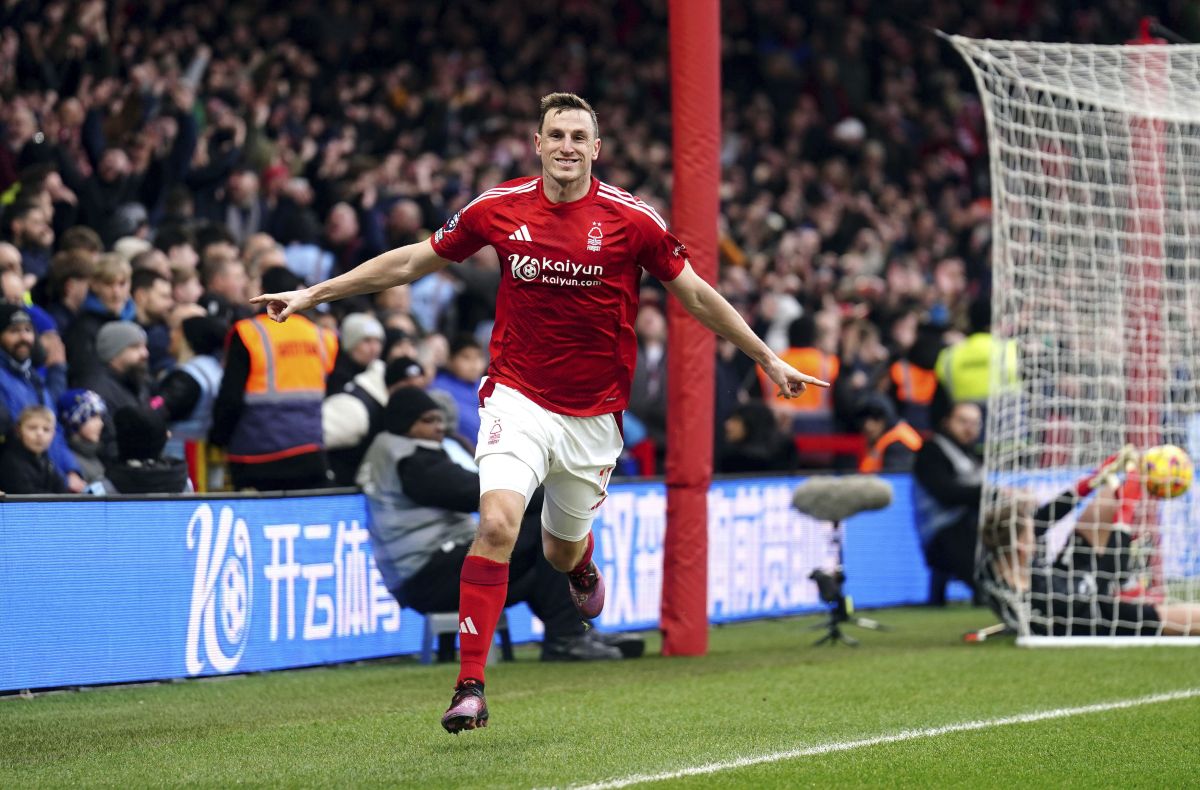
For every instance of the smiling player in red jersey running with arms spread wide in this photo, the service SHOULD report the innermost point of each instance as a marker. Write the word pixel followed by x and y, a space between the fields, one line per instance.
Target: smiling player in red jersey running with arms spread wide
pixel 563 352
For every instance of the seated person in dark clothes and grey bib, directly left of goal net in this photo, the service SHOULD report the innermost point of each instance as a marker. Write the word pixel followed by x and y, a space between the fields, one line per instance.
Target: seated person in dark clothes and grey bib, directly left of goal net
pixel 950 488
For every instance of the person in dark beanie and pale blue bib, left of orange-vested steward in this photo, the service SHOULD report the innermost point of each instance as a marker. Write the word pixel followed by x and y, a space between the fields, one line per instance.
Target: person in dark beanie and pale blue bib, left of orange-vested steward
pixel 189 392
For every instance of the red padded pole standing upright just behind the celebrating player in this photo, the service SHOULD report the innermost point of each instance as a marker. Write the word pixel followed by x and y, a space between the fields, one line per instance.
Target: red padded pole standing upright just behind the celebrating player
pixel 697 133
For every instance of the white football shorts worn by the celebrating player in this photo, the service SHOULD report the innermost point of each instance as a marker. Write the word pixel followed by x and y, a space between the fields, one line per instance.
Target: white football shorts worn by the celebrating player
pixel 574 457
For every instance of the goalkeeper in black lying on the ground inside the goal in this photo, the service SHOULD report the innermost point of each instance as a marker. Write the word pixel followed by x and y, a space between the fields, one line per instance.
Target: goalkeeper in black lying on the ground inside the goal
pixel 1090 588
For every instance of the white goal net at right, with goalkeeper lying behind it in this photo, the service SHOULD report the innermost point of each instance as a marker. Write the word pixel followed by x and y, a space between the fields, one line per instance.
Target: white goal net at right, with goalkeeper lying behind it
pixel 1096 271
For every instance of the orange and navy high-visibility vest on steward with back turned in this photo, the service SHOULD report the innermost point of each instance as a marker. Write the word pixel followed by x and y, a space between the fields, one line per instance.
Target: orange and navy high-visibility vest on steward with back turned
pixel 286 386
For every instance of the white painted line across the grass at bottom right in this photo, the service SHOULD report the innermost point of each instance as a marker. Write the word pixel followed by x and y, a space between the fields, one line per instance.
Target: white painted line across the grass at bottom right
pixel 904 735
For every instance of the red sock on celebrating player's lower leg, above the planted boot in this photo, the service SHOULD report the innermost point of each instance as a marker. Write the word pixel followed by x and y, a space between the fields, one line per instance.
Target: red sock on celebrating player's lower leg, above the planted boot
pixel 483 588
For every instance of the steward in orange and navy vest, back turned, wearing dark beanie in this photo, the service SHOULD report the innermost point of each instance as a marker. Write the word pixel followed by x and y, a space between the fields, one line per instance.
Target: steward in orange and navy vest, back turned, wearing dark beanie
pixel 268 416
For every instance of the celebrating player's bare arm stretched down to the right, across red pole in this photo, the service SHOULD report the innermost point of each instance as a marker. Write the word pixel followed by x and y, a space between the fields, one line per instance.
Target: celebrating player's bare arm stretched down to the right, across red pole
pixel 711 309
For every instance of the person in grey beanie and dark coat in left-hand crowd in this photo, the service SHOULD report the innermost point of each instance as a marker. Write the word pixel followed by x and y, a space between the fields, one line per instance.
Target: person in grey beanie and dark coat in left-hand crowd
pixel 122 379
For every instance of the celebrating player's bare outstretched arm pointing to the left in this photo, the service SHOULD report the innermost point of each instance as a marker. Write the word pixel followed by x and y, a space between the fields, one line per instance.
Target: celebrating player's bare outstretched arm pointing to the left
pixel 393 268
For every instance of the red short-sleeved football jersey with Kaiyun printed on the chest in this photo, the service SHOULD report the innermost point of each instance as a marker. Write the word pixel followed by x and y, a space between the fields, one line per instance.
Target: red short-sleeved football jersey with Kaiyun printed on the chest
pixel 565 315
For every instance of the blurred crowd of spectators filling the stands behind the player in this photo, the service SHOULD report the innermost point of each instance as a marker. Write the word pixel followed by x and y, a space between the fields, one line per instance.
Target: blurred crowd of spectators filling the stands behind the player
pixel 160 160
